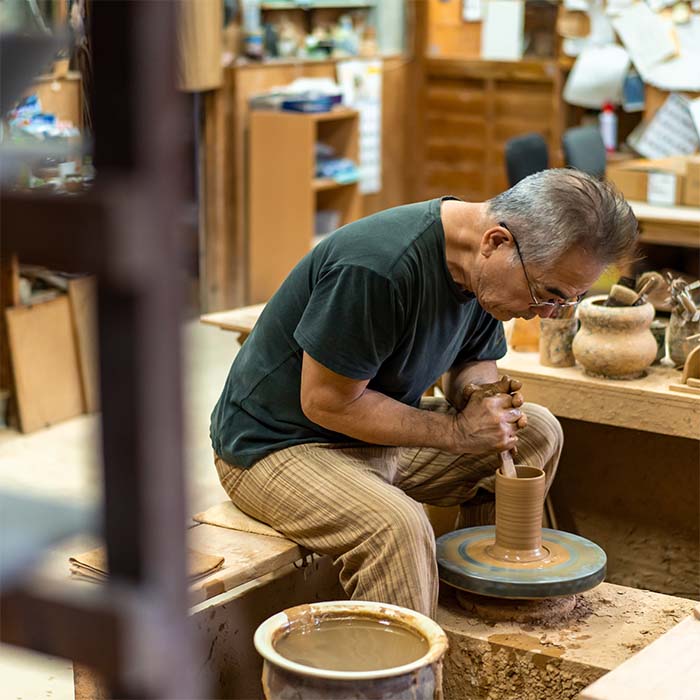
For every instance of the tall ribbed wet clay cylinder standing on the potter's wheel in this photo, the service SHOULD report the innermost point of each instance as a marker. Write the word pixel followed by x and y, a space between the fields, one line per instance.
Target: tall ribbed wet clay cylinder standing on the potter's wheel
pixel 519 504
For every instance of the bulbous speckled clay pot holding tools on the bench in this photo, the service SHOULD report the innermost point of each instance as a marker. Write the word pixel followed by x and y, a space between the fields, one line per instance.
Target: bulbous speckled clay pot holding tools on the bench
pixel 614 342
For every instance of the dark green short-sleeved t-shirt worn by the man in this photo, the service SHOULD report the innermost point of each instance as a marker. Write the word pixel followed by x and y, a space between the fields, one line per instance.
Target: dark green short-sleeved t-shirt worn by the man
pixel 373 301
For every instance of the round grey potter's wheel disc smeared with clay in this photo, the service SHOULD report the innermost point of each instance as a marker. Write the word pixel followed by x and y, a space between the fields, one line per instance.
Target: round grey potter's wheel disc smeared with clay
pixel 573 564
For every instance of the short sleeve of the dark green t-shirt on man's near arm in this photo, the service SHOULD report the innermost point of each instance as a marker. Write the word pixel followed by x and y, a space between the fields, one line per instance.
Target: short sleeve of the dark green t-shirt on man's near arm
pixel 350 324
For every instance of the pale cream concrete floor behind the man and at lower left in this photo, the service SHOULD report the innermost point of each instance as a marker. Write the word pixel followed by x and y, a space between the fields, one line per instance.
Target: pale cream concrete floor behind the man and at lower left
pixel 62 462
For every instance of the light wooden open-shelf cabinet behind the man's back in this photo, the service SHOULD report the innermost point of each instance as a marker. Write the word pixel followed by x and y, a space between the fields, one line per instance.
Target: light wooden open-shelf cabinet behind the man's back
pixel 285 194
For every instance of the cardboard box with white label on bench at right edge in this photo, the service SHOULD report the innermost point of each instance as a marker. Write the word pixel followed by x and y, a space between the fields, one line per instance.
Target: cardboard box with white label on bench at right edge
pixel 662 181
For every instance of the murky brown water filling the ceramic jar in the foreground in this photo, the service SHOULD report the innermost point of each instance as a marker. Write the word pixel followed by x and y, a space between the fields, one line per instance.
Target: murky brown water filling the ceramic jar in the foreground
pixel 352 644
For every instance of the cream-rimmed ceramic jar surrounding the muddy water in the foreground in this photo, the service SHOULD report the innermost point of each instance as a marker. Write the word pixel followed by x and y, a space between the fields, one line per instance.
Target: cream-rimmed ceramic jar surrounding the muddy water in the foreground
pixel 284 679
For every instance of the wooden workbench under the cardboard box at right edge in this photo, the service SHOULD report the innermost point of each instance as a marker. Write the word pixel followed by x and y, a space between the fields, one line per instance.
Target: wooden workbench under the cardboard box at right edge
pixel 668 225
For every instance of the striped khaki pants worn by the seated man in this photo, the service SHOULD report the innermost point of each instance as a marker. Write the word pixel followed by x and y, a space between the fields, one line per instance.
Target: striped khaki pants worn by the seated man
pixel 362 504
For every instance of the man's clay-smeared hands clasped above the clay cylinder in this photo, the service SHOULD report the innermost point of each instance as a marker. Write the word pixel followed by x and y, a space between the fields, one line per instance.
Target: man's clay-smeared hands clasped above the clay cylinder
pixel 487 423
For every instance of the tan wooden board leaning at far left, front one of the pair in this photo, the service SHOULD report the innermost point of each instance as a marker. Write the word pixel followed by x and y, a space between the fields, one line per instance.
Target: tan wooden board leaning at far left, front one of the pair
pixel 44 363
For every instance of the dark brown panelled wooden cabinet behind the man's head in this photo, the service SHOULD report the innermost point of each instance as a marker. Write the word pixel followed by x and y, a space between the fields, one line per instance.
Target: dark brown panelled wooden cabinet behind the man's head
pixel 471 109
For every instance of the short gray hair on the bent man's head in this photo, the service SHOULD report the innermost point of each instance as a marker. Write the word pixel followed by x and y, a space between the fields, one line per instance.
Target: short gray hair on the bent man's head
pixel 556 210
